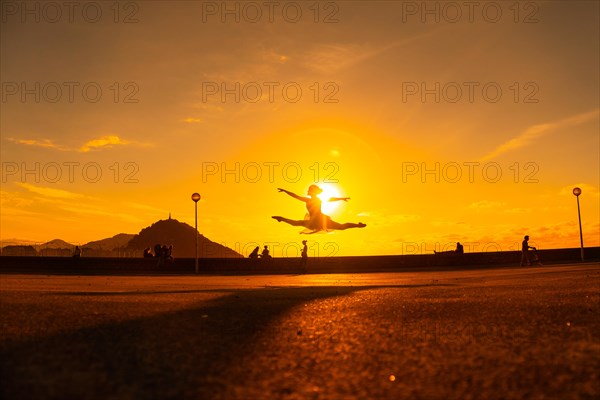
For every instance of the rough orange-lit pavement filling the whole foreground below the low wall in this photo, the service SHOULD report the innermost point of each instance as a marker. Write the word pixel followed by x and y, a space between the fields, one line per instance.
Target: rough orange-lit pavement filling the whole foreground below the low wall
pixel 511 333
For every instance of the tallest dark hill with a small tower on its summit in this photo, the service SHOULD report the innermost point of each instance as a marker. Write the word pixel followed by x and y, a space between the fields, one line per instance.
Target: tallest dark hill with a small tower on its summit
pixel 181 236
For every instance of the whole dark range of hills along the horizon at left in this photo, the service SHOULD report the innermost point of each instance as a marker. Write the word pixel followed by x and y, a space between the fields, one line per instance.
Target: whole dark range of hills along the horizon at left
pixel 164 232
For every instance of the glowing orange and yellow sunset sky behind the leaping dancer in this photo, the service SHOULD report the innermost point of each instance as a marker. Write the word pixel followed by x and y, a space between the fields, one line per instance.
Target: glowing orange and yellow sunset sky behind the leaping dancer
pixel 379 104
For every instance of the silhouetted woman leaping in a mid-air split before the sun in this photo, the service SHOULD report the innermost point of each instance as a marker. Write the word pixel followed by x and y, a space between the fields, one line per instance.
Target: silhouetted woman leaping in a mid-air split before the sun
pixel 316 221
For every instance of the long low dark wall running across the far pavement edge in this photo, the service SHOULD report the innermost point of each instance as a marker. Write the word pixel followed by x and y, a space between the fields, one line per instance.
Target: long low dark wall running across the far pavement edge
pixel 286 265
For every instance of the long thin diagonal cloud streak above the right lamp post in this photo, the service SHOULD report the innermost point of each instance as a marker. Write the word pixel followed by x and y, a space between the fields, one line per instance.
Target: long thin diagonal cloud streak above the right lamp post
pixel 535 132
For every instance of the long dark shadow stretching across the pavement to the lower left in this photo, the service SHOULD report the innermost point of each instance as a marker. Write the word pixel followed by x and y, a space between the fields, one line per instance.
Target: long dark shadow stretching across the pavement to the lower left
pixel 183 354
